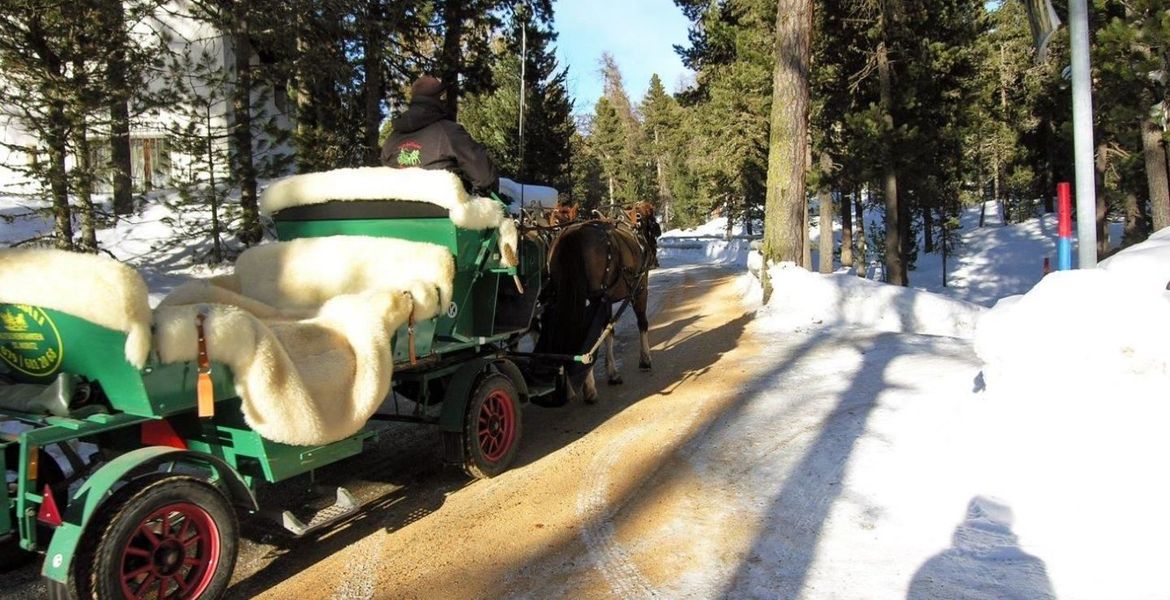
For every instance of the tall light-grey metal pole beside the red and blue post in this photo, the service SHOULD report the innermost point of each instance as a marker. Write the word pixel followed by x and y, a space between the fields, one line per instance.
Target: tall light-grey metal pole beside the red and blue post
pixel 1083 135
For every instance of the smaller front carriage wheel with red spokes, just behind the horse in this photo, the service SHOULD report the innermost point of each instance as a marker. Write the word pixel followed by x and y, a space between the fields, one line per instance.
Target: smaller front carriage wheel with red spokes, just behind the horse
pixel 492 427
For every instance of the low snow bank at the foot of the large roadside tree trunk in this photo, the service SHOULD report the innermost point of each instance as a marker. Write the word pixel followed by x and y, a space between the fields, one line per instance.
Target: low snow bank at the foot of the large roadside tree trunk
pixel 801 298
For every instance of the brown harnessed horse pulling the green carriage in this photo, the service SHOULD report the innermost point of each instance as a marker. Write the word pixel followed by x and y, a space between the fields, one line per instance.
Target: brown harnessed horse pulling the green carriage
pixel 593 266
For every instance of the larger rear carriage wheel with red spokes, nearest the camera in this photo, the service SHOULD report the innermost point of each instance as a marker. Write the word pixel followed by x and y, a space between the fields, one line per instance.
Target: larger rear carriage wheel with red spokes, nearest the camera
pixel 175 539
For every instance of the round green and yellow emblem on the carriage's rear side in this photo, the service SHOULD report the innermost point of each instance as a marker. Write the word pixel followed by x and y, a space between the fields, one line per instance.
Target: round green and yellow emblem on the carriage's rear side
pixel 30 341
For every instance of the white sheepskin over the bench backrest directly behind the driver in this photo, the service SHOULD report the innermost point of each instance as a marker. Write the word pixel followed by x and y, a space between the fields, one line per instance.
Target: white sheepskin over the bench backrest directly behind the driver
pixel 415 185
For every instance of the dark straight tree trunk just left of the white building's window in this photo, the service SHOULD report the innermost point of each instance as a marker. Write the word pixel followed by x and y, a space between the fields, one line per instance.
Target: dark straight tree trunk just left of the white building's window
pixel 120 112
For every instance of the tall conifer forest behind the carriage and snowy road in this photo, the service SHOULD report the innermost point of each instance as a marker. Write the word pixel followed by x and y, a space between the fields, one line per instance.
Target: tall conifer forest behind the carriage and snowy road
pixel 896 109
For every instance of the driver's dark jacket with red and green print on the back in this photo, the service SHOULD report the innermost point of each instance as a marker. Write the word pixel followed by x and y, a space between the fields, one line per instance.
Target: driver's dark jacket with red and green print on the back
pixel 424 136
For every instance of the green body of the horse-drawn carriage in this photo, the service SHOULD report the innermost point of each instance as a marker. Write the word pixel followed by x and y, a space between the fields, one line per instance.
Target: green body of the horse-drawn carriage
pixel 153 424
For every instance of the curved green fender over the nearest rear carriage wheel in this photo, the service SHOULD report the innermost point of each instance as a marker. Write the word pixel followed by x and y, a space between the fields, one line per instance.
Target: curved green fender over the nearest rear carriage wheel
pixel 85 504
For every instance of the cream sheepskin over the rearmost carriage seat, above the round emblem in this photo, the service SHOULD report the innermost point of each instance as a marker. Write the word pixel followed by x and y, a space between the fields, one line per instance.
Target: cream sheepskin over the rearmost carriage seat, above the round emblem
pixel 94 288
